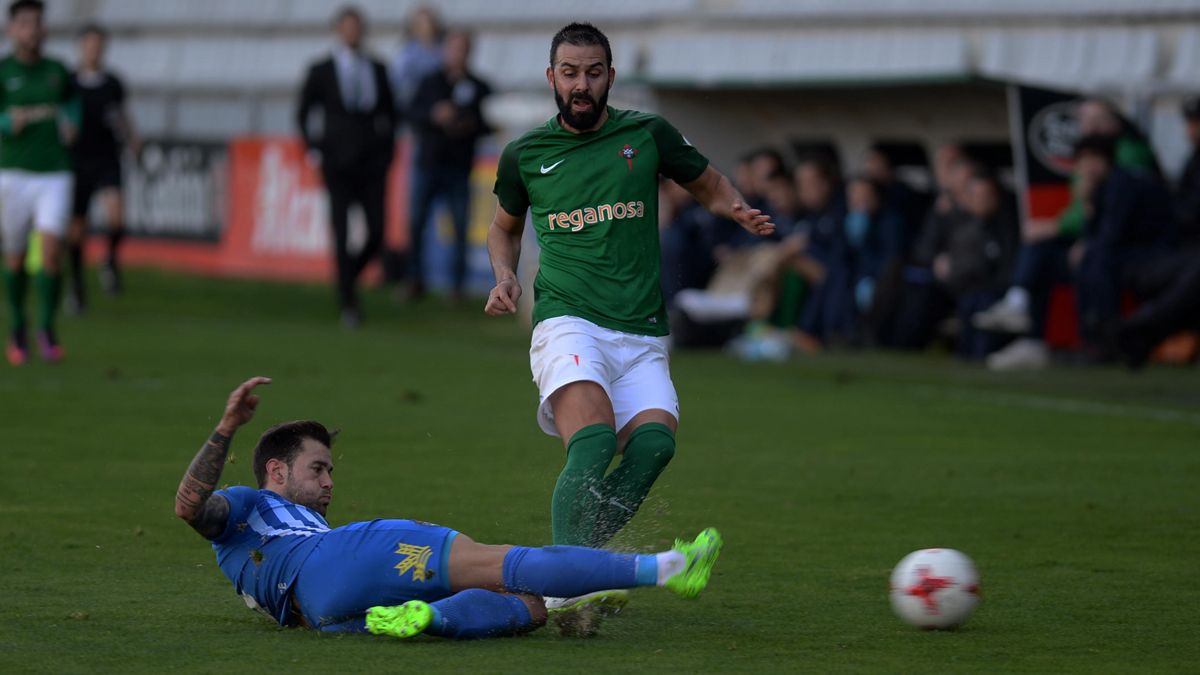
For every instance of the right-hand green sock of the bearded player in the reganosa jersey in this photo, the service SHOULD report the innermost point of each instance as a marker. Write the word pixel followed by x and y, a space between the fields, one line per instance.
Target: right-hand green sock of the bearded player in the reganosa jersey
pixel 647 453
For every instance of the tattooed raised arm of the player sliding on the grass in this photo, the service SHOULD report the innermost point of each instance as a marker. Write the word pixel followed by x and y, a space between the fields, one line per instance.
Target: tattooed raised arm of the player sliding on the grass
pixel 194 500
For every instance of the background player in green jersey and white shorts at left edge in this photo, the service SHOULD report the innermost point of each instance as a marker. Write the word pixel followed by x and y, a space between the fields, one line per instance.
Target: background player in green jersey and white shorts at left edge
pixel 39 112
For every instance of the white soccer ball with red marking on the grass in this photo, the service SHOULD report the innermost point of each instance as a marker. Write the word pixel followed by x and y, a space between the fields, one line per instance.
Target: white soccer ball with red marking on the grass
pixel 935 589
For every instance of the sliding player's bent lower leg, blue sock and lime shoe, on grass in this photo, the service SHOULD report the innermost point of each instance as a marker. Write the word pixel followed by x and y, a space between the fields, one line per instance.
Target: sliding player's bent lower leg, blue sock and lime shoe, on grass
pixel 470 614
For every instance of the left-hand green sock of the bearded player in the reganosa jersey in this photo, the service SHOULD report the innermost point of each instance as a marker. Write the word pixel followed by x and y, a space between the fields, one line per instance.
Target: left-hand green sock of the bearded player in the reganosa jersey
pixel 577 503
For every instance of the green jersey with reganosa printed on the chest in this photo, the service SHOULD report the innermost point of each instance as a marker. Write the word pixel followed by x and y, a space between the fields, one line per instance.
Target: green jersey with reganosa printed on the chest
pixel 595 200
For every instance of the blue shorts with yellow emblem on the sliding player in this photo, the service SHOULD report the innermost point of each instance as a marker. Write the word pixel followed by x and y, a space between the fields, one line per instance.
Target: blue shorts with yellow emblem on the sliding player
pixel 381 563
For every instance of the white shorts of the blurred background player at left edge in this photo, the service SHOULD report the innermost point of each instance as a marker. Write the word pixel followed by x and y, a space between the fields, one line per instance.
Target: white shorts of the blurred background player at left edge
pixel 41 201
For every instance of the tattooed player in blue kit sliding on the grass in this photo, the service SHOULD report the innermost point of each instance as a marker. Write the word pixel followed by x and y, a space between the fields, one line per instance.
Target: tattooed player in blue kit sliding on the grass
pixel 399 578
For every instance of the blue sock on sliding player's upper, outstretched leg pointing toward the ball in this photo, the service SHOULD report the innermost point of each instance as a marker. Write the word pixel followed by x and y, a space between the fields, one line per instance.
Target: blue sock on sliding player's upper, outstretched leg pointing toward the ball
pixel 574 571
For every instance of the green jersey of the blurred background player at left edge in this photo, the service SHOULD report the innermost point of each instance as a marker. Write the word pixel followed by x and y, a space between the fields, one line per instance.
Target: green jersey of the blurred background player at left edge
pixel 44 86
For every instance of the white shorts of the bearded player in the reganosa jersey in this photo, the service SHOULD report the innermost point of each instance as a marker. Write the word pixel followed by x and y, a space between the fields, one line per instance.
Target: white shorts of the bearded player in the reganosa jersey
pixel 633 369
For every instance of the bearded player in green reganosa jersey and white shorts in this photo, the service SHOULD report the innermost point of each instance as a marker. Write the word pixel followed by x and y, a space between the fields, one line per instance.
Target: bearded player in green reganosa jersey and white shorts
pixel 590 177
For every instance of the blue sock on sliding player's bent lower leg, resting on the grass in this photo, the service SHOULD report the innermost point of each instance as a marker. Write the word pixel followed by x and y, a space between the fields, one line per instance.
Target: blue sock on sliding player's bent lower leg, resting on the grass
pixel 477 613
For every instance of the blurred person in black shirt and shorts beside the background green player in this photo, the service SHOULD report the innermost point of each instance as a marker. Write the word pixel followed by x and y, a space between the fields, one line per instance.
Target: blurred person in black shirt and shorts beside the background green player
pixel 104 130
